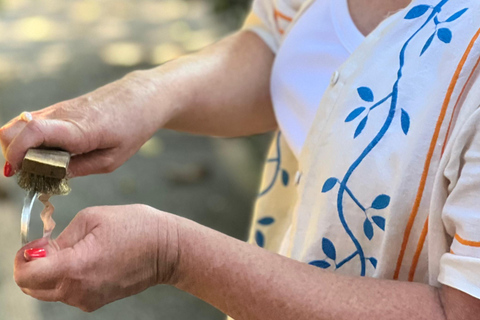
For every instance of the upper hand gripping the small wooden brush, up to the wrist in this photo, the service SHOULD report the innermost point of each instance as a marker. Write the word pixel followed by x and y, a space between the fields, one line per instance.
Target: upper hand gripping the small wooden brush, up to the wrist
pixel 102 129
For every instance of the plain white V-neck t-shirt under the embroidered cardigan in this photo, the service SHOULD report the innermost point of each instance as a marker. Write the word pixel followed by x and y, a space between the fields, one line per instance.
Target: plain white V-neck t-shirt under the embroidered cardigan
pixel 323 38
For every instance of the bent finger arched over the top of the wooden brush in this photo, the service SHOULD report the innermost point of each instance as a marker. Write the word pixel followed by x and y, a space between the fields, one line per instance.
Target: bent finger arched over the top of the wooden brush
pixel 47 133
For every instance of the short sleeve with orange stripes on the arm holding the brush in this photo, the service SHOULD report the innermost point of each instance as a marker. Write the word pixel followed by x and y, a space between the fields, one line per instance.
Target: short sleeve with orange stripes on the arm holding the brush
pixel 270 18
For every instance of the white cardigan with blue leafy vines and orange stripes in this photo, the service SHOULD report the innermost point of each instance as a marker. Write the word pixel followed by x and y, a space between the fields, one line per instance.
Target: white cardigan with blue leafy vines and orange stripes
pixel 382 161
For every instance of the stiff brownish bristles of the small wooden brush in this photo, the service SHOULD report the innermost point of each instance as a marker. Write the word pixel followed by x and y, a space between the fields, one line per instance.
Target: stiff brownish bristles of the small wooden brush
pixel 40 184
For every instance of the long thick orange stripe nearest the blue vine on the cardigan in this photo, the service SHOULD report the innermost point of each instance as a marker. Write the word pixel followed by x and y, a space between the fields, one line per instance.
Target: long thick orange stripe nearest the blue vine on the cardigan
pixel 428 160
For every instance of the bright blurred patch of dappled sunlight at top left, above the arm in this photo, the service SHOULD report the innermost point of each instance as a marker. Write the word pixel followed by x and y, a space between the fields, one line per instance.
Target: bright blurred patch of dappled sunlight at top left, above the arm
pixel 41 37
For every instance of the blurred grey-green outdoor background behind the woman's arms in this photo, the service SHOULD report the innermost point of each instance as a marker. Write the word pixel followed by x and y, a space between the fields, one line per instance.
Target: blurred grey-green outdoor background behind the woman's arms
pixel 52 50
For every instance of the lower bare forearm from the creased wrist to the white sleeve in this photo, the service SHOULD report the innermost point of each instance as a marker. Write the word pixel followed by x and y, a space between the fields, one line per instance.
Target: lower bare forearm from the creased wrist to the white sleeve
pixel 248 282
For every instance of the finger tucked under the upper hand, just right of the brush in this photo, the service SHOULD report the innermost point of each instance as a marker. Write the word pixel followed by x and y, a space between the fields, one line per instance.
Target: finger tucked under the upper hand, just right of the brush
pixel 95 162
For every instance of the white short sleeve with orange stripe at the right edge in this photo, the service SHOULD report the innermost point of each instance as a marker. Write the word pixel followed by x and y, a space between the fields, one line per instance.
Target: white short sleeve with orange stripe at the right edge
pixel 460 268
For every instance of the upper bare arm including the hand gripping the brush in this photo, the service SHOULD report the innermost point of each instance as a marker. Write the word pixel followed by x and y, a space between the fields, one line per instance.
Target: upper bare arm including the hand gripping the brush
pixel 222 90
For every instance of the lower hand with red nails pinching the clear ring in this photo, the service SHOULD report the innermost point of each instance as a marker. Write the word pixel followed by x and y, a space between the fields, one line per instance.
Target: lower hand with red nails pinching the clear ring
pixel 106 254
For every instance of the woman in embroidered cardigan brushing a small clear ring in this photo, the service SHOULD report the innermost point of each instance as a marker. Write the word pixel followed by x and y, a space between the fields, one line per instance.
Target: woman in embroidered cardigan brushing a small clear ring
pixel 386 171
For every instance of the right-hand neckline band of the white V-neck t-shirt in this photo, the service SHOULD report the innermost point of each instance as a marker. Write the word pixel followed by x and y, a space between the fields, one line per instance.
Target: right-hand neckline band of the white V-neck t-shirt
pixel 346 30
